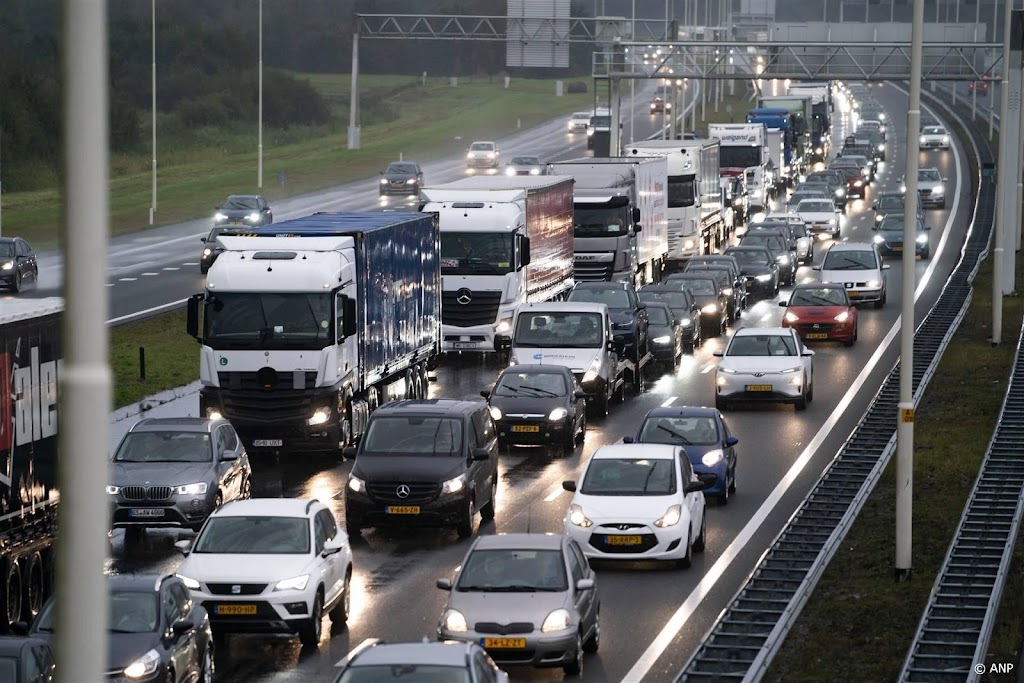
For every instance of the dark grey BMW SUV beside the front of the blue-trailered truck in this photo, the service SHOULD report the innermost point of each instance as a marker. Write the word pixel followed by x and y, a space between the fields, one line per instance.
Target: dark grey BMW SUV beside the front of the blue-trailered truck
pixel 175 473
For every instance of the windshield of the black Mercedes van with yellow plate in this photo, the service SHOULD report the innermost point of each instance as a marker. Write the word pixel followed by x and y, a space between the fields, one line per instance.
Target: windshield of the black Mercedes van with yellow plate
pixel 412 436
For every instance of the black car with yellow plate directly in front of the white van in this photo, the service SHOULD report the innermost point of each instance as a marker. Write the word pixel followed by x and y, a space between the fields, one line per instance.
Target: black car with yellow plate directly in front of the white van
pixel 538 406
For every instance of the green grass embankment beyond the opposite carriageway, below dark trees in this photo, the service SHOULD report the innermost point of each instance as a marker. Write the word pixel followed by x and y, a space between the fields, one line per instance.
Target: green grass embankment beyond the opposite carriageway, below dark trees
pixel 198 173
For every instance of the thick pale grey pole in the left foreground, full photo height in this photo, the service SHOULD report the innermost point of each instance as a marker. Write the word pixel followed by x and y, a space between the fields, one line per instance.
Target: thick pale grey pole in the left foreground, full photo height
pixel 84 394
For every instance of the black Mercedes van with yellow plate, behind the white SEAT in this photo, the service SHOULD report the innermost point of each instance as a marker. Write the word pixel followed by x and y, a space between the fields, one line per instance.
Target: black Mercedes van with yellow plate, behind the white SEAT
pixel 424 463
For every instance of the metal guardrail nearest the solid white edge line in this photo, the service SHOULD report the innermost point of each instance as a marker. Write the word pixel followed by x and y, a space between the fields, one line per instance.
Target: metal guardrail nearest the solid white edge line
pixel 750 631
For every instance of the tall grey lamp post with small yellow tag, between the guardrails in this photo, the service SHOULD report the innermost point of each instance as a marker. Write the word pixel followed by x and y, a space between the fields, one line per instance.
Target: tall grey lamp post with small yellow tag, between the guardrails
pixel 906 413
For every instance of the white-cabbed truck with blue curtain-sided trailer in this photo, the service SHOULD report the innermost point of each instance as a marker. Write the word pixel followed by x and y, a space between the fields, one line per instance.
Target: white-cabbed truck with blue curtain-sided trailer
pixel 308 326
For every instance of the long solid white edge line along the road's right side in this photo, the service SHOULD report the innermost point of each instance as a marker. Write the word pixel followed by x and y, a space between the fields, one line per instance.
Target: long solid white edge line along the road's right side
pixel 687 610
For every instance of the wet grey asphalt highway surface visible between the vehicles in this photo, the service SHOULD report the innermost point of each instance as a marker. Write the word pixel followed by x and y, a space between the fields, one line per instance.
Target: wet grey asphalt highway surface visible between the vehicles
pixel 653 617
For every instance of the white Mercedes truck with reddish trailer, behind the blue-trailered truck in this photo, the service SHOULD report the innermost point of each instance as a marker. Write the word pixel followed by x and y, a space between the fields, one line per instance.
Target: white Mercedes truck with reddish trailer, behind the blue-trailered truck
pixel 506 241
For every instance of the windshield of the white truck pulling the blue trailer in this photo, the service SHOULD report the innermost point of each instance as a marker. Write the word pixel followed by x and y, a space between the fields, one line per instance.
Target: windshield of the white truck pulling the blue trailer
pixel 269 321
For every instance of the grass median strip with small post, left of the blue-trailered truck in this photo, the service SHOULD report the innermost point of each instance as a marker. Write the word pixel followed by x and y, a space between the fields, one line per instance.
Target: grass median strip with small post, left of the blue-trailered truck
pixel 172 358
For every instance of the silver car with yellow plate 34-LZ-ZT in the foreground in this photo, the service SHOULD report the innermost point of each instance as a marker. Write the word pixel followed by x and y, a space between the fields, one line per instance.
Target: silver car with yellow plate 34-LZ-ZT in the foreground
pixel 528 599
